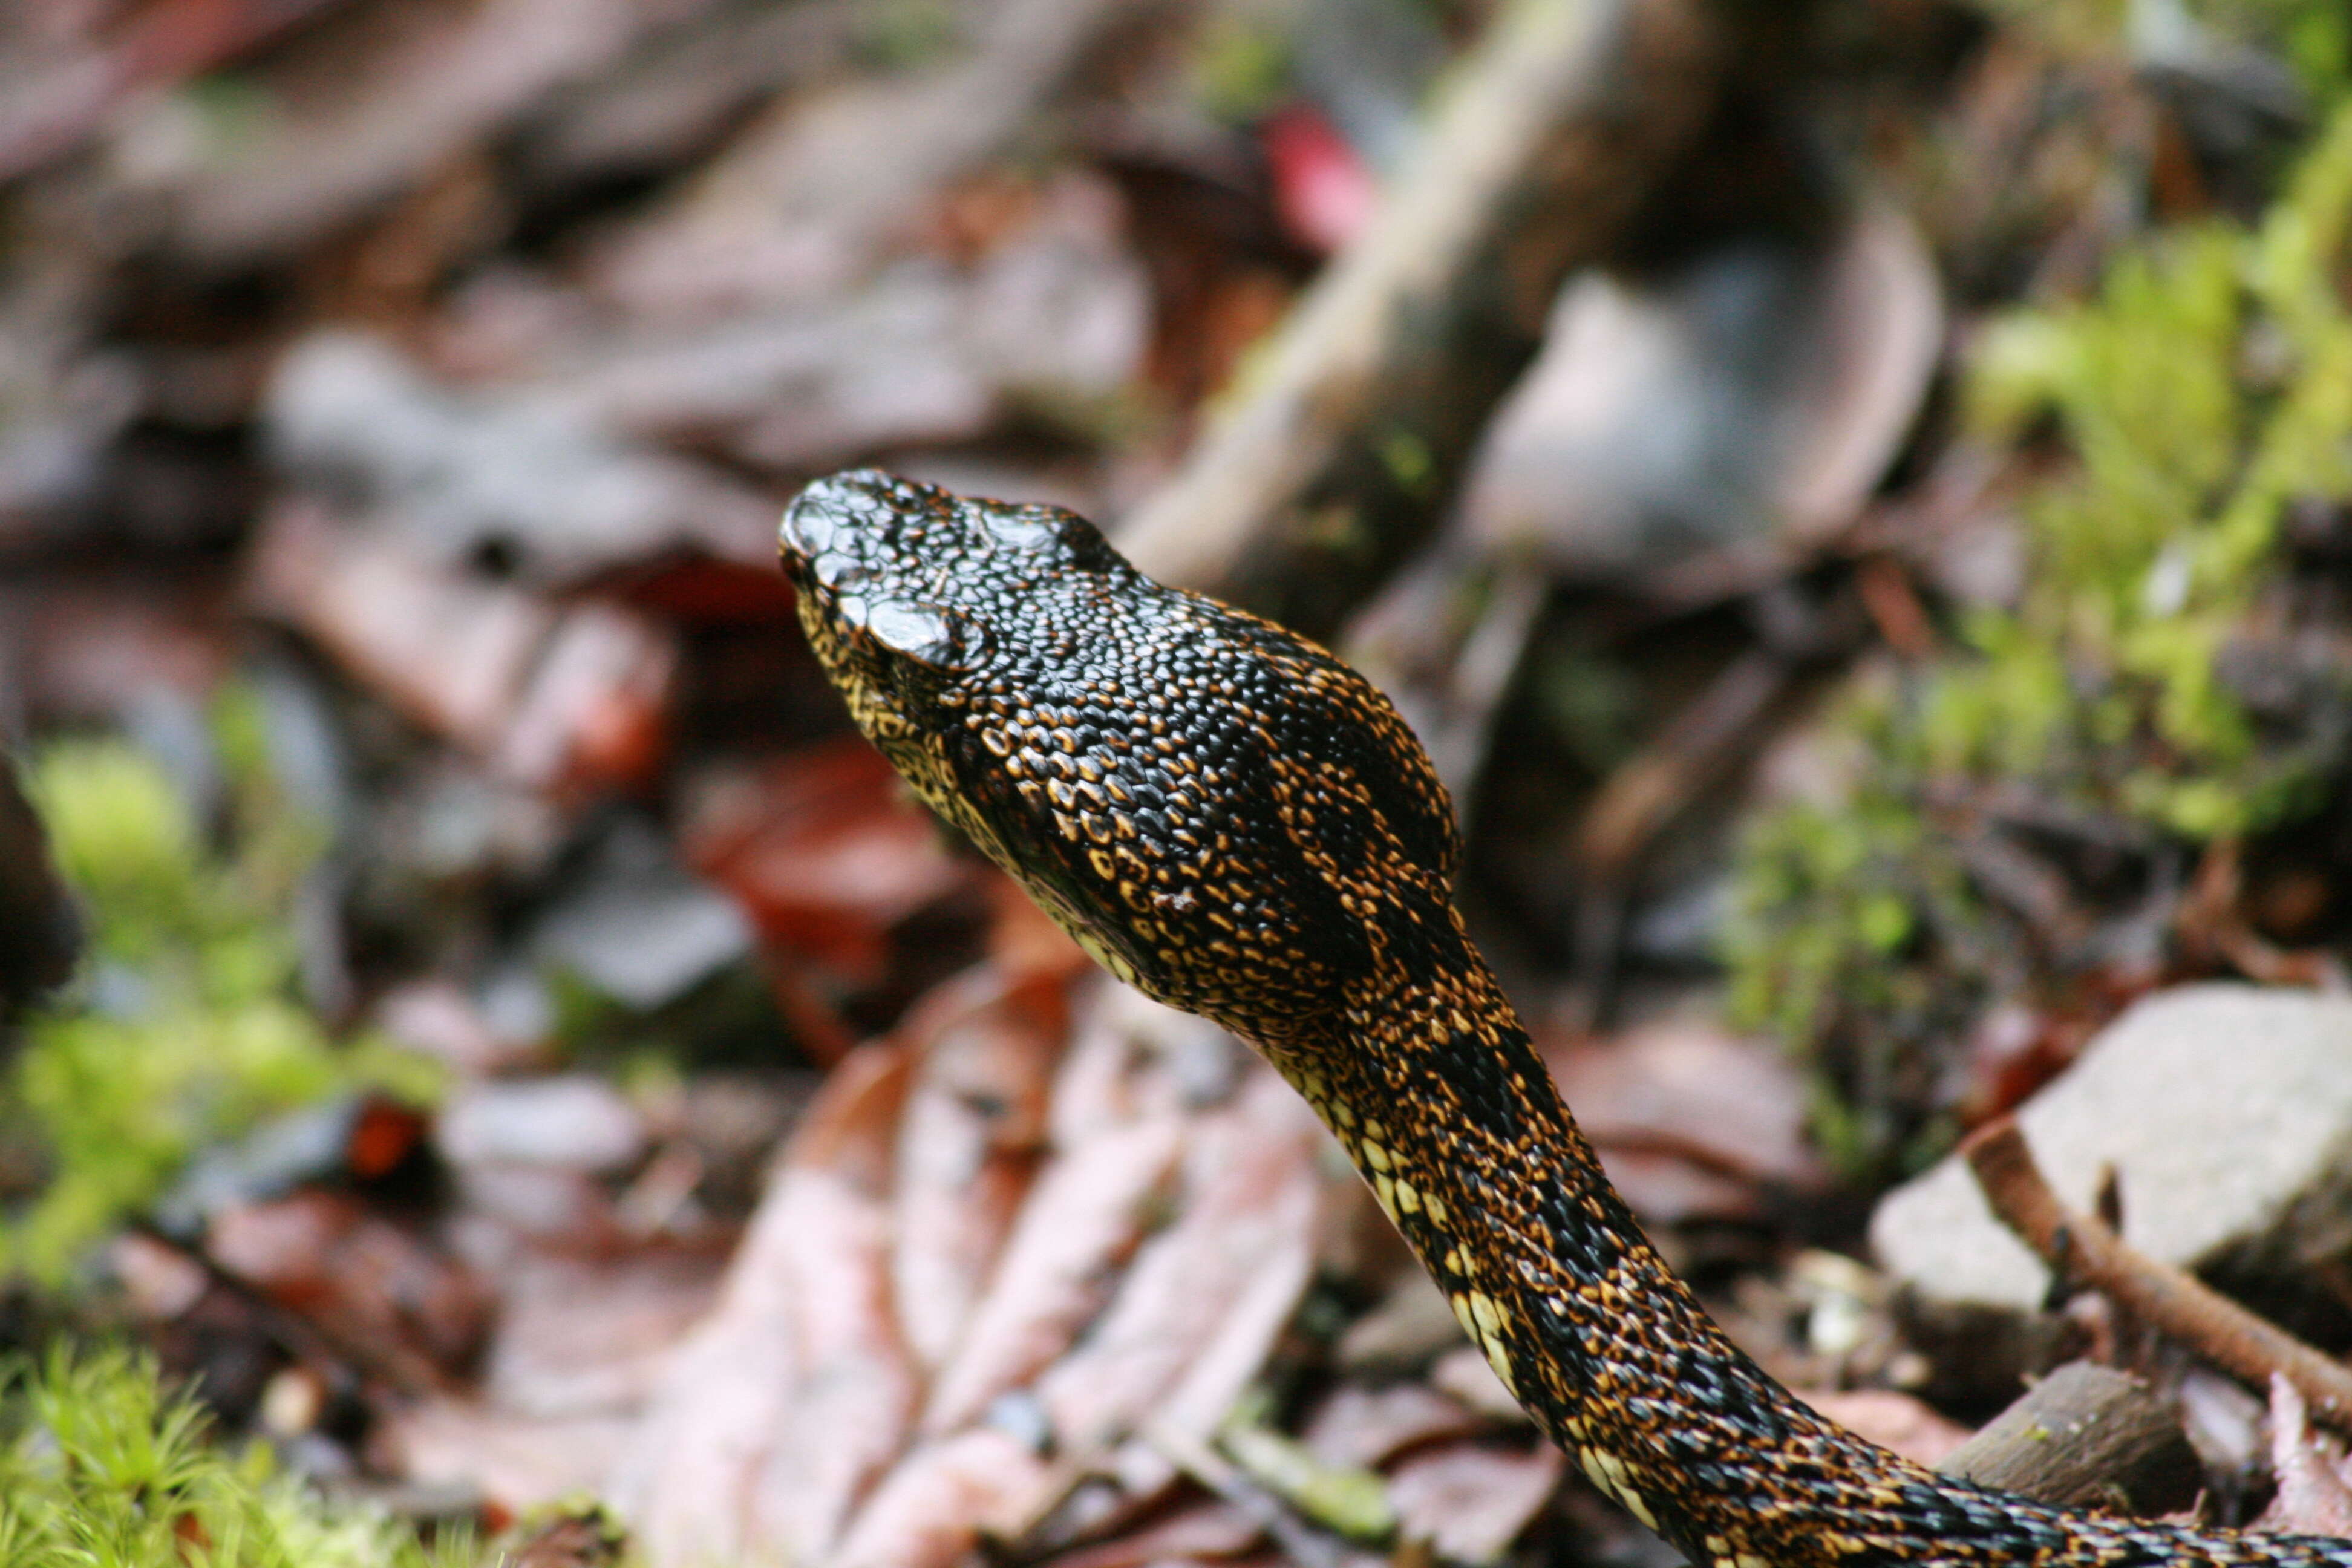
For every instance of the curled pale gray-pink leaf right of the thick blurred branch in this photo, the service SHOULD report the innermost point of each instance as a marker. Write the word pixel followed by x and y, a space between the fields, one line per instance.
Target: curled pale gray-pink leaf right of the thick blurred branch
pixel 1751 396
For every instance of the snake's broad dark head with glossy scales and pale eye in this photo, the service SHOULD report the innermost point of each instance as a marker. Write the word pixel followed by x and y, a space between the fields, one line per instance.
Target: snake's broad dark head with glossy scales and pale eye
pixel 1217 810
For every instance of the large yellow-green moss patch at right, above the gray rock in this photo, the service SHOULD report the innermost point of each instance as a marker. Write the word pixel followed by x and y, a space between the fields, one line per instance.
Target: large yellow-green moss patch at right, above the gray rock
pixel 2193 401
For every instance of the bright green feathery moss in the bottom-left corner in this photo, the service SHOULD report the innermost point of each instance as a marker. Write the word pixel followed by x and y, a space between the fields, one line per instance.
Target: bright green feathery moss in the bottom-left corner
pixel 102 1468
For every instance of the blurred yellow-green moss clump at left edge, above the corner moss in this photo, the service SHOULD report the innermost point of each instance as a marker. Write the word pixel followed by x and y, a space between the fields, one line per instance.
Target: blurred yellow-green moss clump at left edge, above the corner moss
pixel 185 1028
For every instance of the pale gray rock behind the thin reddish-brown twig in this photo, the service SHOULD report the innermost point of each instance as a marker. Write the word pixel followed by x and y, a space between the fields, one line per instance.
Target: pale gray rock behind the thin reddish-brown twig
pixel 2226 1113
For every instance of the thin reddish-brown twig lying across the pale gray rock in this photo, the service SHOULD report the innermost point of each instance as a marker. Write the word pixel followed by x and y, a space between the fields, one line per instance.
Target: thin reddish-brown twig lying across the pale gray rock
pixel 2085 1252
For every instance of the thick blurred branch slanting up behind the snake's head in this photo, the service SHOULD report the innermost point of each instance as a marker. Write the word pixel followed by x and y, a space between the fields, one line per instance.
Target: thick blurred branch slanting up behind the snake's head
pixel 1372 398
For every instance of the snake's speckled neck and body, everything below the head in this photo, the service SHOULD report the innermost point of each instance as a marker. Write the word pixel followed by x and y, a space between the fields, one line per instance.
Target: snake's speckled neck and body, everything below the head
pixel 1436 1092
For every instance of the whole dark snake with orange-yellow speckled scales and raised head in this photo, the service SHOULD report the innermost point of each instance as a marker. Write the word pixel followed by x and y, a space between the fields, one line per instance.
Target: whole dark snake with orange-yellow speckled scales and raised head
pixel 1241 826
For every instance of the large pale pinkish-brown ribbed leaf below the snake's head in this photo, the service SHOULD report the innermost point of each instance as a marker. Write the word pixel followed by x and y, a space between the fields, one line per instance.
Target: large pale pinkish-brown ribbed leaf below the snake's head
pixel 754 1449
